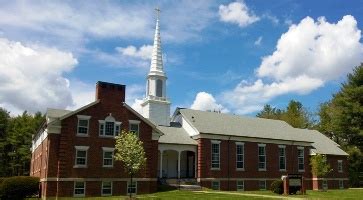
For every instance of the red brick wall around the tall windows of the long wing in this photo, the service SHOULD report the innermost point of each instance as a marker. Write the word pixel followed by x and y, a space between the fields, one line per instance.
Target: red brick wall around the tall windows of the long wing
pixel 250 161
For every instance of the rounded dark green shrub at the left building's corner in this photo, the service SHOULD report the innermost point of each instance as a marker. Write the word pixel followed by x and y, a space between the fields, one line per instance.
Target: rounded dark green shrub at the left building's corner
pixel 19 187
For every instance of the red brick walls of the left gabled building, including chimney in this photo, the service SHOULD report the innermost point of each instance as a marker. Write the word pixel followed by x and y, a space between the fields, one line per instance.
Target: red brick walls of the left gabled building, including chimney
pixel 62 148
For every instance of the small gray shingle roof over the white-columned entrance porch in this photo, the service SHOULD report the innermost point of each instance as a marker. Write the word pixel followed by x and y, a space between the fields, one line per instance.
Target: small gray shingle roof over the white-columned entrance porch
pixel 175 135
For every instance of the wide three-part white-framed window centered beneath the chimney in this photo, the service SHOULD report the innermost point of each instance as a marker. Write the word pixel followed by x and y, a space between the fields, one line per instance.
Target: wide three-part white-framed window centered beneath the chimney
pixel 109 127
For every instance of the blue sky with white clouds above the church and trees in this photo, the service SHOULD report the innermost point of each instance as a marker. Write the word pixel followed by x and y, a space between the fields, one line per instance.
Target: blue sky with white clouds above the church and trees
pixel 233 56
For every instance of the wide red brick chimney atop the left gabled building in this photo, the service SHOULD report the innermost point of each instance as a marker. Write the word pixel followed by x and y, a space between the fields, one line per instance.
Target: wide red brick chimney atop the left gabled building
pixel 110 92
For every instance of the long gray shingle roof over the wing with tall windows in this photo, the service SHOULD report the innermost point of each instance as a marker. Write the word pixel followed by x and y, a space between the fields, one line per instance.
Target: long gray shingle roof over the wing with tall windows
pixel 227 124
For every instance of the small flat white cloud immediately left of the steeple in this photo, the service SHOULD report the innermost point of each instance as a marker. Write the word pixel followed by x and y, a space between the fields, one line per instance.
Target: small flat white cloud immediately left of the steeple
pixel 144 52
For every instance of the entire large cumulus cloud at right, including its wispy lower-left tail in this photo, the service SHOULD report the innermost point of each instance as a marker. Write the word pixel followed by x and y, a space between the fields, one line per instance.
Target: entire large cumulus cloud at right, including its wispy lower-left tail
pixel 307 56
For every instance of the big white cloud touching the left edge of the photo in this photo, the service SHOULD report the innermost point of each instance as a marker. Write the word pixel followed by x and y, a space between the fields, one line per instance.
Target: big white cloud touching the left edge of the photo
pixel 32 77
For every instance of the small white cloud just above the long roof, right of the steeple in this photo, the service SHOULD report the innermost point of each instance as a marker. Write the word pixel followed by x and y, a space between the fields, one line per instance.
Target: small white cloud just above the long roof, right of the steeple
pixel 205 101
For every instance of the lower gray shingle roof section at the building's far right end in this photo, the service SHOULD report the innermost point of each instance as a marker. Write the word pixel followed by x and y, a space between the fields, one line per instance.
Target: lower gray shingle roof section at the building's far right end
pixel 322 144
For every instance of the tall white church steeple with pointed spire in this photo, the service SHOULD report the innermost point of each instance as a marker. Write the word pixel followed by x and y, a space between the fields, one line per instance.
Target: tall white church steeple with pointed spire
pixel 156 105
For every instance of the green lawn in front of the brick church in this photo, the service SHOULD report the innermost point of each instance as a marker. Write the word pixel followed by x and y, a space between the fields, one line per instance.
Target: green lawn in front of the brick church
pixel 209 194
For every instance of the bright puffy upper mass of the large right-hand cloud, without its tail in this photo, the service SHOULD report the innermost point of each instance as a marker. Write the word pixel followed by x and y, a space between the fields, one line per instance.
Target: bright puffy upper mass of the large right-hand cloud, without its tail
pixel 315 49
